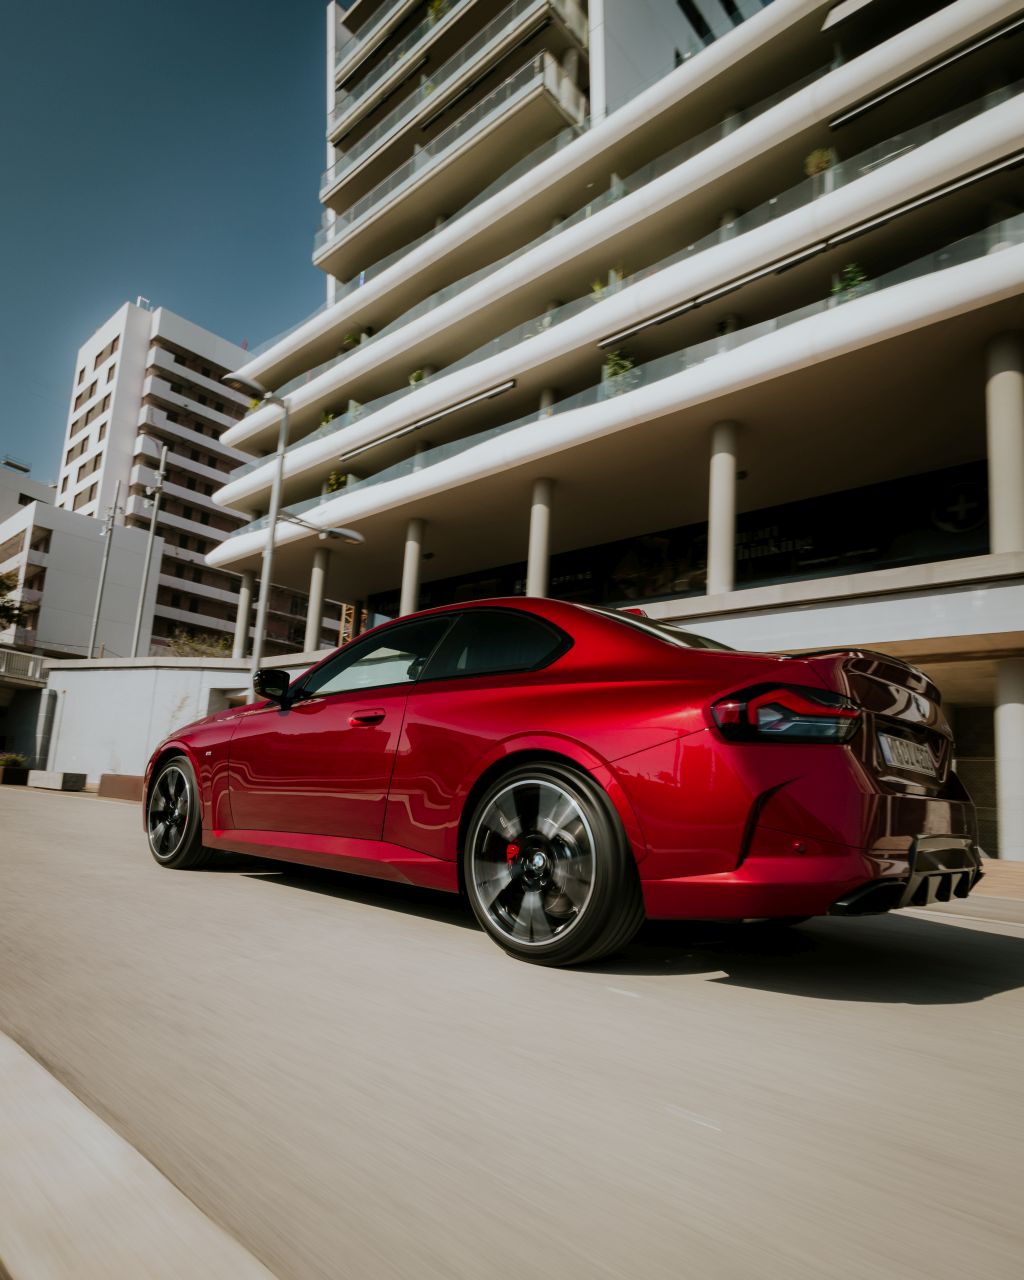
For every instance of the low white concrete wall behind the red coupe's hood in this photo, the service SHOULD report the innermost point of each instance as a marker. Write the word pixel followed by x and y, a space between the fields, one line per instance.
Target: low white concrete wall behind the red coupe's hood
pixel 109 715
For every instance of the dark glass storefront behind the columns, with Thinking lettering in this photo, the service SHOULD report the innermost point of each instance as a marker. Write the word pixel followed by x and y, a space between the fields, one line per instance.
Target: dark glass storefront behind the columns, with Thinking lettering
pixel 940 515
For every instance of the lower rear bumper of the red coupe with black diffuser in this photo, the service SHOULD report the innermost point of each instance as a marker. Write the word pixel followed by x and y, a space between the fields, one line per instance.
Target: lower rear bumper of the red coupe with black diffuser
pixel 932 868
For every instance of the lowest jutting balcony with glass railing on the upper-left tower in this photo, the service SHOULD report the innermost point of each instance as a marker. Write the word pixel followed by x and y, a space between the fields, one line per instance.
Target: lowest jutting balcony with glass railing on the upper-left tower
pixel 536 102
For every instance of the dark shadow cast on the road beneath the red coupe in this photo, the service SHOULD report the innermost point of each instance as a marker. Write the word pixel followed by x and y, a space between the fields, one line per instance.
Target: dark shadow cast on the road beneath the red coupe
pixel 888 959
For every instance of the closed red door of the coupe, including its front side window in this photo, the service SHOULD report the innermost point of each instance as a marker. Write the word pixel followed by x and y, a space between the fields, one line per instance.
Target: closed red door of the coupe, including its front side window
pixel 322 765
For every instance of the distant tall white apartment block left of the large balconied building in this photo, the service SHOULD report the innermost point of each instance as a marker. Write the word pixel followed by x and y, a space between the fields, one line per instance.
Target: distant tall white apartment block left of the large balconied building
pixel 145 380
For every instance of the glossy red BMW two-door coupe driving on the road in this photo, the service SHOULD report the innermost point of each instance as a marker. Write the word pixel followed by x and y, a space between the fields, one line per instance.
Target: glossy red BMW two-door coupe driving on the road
pixel 575 770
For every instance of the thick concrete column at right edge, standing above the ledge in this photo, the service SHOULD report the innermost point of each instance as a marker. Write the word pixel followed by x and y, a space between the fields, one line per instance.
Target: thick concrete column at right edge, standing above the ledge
pixel 1005 424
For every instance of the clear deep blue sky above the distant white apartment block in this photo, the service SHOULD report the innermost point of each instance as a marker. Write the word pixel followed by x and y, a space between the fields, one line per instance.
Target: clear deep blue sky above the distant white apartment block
pixel 168 150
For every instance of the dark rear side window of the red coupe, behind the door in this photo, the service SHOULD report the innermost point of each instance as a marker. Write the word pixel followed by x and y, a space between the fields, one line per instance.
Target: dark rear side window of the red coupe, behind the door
pixel 487 642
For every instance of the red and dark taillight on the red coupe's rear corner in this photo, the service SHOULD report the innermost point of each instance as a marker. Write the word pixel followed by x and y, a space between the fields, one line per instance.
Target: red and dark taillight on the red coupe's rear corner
pixel 787 714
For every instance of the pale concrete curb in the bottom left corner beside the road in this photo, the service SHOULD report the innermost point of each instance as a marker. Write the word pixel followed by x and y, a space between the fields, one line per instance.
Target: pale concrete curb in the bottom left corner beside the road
pixel 77 1203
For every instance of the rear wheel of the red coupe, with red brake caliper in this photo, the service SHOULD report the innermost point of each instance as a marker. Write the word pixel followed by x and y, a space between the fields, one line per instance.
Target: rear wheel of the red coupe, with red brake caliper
pixel 548 870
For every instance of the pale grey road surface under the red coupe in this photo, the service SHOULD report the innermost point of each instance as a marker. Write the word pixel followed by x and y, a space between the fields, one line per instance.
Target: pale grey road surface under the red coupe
pixel 356 1084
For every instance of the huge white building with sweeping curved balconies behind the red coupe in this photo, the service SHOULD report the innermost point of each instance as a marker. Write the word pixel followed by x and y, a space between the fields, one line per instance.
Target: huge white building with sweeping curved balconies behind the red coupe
pixel 716 307
